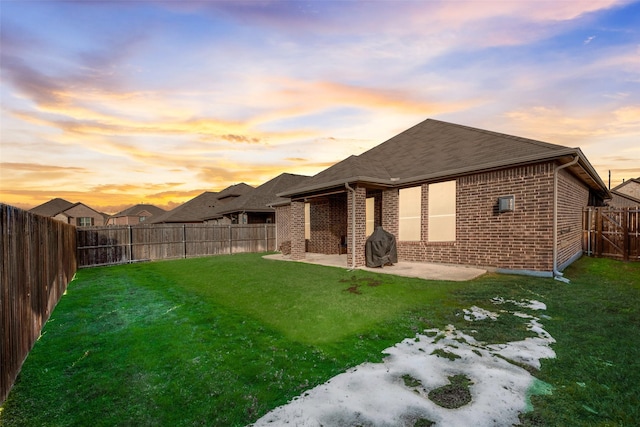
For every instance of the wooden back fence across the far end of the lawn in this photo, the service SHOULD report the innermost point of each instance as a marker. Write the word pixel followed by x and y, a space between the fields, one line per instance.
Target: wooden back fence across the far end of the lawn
pixel 127 244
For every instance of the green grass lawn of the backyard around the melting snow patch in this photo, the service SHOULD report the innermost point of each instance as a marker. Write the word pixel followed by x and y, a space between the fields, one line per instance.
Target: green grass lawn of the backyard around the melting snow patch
pixel 223 340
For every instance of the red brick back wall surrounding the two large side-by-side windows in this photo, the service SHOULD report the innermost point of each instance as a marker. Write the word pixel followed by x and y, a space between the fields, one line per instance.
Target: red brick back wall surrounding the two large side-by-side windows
pixel 519 240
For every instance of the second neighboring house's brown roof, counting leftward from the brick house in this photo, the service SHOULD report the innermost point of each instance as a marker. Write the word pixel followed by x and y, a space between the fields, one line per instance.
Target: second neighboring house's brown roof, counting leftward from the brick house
pixel 202 206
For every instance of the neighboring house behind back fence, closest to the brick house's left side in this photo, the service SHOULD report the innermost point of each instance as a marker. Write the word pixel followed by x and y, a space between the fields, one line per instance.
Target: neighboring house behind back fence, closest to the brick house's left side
pixel 255 207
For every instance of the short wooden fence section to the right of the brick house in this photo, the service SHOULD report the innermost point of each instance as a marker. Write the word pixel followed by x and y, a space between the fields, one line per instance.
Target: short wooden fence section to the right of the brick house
pixel 612 233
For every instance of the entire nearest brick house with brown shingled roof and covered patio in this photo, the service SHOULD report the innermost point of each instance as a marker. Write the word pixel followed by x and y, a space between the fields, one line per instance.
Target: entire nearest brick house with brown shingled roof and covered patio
pixel 449 194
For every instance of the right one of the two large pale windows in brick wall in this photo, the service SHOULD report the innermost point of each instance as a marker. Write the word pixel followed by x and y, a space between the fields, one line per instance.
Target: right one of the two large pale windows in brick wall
pixel 442 212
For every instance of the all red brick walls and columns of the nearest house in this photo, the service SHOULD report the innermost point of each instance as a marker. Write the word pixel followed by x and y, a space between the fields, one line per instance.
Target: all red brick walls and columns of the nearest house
pixel 518 240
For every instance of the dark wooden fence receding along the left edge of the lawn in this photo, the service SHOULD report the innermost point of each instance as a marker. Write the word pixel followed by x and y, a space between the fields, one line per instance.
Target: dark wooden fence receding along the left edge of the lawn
pixel 38 261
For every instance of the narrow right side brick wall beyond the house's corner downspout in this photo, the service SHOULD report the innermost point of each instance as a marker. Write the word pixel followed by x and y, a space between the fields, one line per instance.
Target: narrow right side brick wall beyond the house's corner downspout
pixel 573 197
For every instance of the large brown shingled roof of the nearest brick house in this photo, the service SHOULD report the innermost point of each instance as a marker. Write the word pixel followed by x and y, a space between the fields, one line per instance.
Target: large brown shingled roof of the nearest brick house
pixel 434 150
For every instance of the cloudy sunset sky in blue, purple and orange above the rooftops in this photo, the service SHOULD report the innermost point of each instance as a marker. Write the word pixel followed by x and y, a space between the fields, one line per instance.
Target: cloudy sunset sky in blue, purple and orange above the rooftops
pixel 113 103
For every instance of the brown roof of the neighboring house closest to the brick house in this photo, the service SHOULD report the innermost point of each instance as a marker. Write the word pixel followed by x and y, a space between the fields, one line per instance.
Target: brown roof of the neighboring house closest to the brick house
pixel 259 199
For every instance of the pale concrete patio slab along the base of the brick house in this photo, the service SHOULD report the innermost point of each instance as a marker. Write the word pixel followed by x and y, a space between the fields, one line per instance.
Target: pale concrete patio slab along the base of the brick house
pixel 428 271
